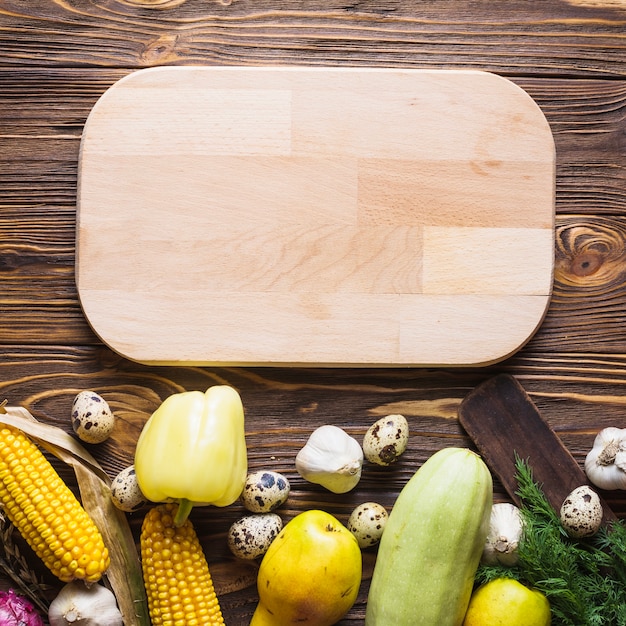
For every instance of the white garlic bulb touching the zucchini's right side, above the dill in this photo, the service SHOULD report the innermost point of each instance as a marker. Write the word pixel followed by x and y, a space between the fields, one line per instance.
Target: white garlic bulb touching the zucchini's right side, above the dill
pixel 505 531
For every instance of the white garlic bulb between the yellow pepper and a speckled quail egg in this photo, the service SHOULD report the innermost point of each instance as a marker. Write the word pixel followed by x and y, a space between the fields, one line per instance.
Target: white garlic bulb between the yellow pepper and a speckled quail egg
pixel 331 458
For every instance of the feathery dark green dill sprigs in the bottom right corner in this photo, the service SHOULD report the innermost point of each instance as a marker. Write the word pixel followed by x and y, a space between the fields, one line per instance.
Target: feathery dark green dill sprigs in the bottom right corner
pixel 584 580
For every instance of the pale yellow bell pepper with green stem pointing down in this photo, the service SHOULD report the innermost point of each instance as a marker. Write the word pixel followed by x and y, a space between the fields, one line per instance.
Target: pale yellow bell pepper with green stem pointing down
pixel 192 450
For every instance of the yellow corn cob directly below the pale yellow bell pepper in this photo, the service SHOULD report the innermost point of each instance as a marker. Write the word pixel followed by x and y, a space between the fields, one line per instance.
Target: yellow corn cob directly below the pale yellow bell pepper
pixel 176 574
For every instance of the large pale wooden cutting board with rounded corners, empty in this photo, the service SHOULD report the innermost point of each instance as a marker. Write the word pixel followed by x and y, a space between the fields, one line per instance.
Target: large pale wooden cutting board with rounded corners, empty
pixel 344 216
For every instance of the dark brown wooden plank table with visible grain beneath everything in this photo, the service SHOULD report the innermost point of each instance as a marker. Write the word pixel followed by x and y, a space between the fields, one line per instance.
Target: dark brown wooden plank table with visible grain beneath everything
pixel 57 58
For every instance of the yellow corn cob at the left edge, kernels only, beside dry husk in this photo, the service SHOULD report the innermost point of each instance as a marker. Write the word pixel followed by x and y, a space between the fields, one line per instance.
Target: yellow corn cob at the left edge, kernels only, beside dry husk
pixel 46 512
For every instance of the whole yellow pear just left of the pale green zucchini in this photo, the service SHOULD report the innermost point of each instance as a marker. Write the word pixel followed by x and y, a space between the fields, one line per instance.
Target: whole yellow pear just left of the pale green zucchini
pixel 310 574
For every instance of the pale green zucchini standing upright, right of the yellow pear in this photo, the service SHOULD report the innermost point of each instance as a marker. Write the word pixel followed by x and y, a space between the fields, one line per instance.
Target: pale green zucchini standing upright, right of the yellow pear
pixel 432 543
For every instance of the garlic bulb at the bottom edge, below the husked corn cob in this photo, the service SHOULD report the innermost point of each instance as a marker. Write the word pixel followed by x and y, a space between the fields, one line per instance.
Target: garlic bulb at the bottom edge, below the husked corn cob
pixel 77 603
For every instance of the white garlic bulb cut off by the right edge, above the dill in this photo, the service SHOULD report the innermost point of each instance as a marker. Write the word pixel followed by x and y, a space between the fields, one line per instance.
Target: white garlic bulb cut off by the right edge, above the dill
pixel 605 464
